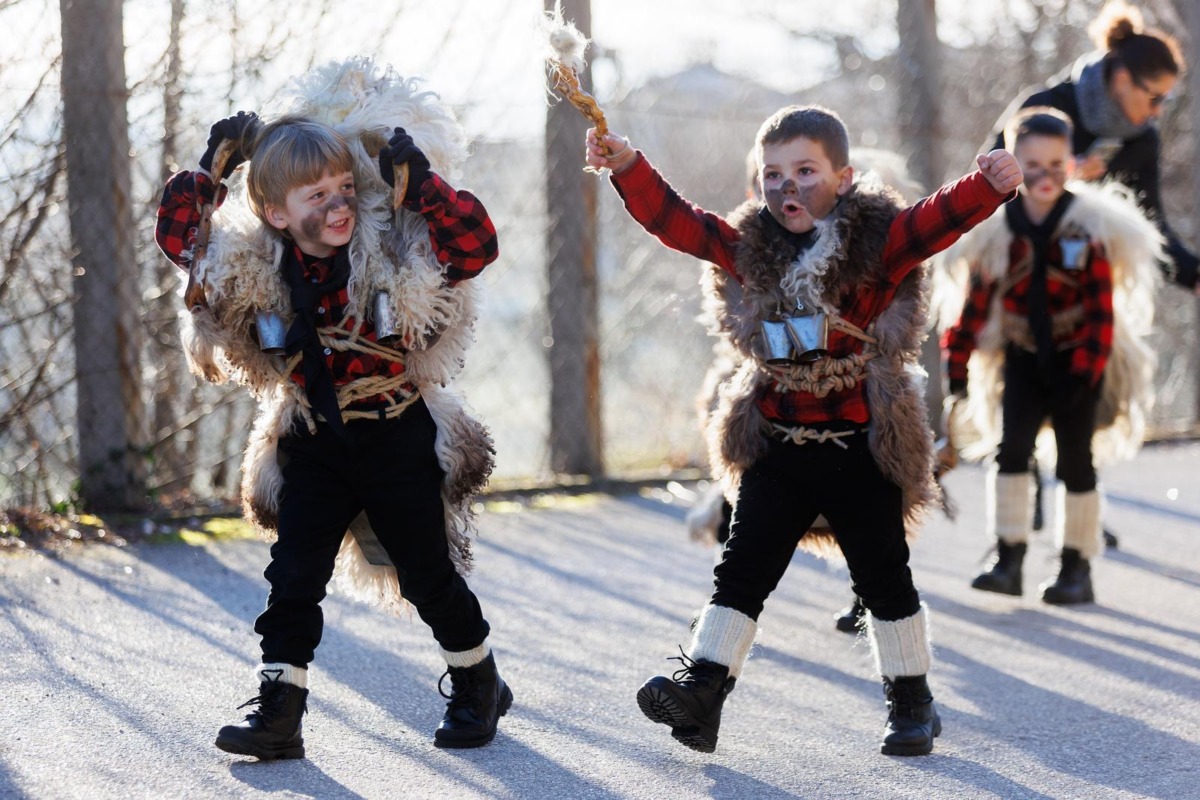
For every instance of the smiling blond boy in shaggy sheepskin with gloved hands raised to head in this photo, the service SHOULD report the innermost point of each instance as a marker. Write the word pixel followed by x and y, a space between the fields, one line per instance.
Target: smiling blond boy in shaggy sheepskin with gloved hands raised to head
pixel 359 456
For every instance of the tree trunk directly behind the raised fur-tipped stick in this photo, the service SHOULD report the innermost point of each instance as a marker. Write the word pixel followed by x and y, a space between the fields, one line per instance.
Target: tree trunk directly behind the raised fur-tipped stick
pixel 575 432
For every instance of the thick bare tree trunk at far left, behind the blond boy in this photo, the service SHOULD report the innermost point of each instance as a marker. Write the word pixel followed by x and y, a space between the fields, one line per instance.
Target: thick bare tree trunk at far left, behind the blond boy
pixel 107 322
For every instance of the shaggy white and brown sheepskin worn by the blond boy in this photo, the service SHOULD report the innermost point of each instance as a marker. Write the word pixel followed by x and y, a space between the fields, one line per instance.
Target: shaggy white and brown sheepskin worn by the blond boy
pixel 389 251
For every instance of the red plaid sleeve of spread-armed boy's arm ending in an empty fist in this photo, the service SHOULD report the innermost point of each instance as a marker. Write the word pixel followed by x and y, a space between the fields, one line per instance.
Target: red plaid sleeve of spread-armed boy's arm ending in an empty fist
pixel 937 222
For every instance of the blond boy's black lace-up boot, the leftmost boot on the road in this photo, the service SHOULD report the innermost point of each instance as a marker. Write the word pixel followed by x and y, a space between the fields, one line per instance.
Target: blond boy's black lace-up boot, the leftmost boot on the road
pixel 273 729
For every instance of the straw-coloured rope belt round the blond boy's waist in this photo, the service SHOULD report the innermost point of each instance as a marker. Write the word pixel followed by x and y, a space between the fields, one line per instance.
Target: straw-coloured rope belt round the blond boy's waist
pixel 394 388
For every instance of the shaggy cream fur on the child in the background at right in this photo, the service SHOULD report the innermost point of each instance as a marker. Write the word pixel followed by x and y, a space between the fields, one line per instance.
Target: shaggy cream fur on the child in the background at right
pixel 1111 216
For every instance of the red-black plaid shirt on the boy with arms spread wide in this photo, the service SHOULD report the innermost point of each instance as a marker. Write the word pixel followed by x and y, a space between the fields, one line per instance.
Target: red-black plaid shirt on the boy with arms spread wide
pixel 917 233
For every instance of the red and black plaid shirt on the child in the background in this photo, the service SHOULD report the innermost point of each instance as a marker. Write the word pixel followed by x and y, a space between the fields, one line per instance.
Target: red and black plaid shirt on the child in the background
pixel 1090 287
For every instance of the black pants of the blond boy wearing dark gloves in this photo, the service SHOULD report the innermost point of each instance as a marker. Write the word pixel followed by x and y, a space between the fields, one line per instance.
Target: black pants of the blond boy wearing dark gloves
pixel 391 471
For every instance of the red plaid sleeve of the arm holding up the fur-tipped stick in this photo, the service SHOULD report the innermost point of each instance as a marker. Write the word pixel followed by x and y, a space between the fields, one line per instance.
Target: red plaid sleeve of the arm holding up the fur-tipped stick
pixel 673 220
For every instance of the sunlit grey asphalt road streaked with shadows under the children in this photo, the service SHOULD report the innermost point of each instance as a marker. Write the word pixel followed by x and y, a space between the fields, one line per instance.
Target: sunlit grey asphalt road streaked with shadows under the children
pixel 118 666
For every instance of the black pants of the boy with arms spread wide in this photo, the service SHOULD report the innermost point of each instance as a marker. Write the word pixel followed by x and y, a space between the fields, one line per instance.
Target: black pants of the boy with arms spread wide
pixel 781 497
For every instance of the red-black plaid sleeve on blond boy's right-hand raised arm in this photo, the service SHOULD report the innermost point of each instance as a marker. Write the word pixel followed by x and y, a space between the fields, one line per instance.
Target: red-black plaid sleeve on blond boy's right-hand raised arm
pixel 461 231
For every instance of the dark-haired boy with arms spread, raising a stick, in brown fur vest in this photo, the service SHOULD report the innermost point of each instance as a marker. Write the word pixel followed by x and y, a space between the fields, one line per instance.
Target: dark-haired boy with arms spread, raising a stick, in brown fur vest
pixel 839 432
